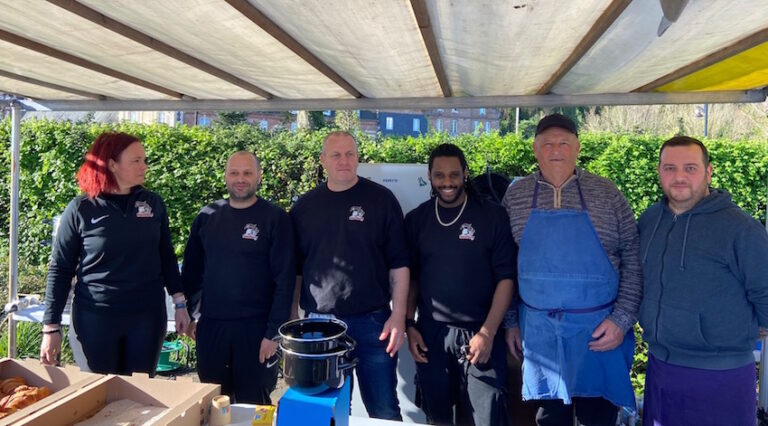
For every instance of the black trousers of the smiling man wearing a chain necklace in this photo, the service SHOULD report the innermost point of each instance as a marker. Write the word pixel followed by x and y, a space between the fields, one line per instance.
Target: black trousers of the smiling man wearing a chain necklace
pixel 448 382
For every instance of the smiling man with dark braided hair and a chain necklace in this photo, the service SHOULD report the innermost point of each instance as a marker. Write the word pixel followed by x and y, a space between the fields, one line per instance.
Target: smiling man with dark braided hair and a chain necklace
pixel 463 262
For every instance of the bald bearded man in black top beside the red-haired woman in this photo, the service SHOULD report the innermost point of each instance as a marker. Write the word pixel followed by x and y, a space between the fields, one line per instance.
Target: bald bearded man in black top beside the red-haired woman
pixel 238 273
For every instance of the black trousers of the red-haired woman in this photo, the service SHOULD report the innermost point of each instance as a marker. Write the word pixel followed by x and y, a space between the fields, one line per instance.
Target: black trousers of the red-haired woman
pixel 120 344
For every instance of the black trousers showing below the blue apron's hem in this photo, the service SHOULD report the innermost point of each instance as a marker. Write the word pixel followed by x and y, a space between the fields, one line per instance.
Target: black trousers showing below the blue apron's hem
pixel 589 412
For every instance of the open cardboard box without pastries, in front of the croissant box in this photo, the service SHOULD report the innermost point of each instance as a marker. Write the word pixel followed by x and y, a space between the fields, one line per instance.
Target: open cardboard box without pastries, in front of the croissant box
pixel 188 403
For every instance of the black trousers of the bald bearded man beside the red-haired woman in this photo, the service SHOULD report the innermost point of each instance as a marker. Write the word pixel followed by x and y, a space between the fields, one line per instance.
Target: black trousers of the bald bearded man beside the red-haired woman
pixel 228 355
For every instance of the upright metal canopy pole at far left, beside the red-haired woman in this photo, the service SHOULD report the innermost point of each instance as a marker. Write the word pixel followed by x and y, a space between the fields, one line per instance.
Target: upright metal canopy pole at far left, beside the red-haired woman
pixel 13 258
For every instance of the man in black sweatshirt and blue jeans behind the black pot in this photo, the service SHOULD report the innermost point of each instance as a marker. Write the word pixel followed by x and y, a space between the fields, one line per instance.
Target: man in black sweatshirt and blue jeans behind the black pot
pixel 353 260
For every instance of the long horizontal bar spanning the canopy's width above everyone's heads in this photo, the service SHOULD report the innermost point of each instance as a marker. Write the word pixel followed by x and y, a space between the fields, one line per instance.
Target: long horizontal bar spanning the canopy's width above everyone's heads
pixel 652 98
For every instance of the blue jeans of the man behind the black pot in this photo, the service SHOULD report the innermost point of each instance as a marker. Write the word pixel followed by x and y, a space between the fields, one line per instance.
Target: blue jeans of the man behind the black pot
pixel 376 370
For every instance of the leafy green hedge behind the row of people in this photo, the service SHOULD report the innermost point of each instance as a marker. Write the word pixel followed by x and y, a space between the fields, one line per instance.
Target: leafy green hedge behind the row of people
pixel 187 167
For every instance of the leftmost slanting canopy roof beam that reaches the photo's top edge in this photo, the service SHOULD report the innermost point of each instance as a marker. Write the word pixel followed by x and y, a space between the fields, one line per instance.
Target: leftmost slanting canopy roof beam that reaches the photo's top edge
pixel 124 30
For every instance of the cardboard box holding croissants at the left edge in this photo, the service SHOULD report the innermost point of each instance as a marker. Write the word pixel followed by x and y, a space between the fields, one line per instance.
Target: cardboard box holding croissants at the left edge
pixel 61 381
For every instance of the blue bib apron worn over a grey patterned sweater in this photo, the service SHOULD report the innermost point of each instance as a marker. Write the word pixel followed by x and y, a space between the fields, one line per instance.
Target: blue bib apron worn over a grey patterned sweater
pixel 568 286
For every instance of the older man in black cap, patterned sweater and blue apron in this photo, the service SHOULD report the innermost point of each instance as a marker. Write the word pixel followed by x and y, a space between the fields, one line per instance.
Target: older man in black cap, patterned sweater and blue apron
pixel 580 284
